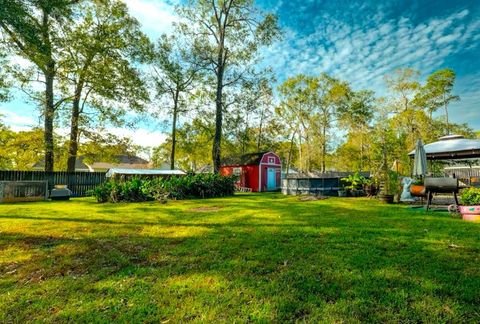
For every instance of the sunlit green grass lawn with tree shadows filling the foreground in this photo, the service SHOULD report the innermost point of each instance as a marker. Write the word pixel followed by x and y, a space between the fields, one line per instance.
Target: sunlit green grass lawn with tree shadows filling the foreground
pixel 252 257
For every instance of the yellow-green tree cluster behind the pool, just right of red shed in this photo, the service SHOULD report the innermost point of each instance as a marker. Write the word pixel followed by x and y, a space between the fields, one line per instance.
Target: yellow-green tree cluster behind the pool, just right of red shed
pixel 308 110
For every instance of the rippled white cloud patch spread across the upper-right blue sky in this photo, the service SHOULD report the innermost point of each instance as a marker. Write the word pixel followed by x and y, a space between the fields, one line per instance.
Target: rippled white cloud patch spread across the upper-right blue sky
pixel 363 52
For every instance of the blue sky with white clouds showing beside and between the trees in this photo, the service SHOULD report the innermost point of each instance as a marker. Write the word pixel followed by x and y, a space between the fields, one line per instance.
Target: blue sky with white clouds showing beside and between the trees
pixel 357 41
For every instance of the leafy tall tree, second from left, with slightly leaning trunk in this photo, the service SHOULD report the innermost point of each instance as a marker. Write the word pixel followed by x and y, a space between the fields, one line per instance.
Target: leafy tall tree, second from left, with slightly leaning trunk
pixel 98 70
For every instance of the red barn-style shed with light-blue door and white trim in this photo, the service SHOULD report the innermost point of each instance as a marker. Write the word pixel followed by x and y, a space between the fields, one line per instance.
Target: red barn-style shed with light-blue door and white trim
pixel 257 171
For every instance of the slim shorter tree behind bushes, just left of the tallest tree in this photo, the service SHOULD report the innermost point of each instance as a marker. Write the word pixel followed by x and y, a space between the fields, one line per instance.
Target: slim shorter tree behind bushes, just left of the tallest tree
pixel 174 75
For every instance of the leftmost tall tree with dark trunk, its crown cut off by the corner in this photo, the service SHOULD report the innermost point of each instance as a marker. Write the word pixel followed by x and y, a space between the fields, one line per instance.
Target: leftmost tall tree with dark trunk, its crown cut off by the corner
pixel 32 31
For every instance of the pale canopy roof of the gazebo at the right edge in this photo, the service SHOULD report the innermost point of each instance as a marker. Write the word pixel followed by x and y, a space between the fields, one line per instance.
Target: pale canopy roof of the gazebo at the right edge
pixel 453 146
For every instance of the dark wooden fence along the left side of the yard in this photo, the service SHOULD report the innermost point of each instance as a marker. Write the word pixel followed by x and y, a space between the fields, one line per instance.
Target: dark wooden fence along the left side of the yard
pixel 78 182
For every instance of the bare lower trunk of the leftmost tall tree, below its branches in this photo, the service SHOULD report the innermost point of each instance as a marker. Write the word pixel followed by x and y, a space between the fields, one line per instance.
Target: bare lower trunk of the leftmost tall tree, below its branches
pixel 49 117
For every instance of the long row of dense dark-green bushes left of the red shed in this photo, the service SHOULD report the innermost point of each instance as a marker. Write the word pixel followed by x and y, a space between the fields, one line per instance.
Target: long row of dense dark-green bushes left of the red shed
pixel 186 187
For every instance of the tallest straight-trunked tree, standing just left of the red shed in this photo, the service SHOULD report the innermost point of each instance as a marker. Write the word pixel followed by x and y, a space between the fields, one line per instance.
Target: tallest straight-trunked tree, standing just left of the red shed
pixel 227 36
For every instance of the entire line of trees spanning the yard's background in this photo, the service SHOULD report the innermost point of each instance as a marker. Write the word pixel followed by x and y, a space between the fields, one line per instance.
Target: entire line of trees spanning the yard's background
pixel 86 65
